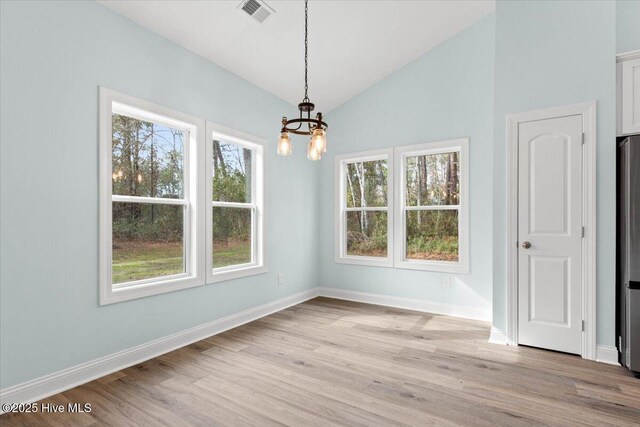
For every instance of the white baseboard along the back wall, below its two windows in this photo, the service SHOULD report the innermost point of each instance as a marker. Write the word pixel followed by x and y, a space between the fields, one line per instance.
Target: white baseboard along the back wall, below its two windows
pixel 407 303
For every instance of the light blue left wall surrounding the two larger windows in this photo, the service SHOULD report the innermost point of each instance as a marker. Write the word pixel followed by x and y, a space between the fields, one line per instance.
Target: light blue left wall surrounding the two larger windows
pixel 54 55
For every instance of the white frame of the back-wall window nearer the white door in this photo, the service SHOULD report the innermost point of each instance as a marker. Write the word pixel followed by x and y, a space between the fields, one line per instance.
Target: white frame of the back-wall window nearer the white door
pixel 400 154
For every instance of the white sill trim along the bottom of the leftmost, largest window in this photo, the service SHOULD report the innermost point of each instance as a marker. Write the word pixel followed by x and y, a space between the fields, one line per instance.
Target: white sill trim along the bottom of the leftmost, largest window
pixel 111 295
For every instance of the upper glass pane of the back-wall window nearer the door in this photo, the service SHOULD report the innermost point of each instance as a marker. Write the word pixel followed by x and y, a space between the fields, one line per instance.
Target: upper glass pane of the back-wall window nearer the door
pixel 433 179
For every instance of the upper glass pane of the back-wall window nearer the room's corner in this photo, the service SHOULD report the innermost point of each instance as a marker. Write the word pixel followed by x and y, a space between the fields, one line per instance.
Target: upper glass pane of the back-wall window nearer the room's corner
pixel 367 184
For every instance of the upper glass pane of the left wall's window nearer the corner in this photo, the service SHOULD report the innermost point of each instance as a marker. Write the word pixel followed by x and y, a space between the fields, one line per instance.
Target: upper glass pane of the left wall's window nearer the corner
pixel 231 173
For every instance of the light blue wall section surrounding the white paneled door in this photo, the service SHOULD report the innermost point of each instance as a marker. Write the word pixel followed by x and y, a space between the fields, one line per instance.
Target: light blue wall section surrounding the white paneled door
pixel 550 54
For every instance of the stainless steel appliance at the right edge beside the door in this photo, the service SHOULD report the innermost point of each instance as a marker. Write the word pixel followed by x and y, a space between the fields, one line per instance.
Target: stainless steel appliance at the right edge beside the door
pixel 628 253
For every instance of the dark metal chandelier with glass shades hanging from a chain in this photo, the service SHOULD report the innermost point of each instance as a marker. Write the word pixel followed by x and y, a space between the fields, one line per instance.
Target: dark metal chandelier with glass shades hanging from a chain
pixel 305 125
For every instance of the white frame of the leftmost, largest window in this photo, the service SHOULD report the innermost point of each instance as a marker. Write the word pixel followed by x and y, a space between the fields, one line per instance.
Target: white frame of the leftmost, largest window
pixel 194 275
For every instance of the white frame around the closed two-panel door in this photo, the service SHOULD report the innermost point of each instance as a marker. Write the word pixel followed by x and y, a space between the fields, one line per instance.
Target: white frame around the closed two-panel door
pixel 588 112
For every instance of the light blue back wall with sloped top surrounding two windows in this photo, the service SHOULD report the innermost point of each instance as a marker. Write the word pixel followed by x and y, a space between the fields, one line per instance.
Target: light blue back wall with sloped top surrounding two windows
pixel 448 93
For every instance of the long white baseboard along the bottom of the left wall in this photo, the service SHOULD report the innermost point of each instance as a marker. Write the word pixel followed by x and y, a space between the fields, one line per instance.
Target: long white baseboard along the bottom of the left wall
pixel 57 382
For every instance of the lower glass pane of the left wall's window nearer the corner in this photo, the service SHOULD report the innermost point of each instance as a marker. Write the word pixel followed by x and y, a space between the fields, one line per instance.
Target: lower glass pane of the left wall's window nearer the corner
pixel 231 236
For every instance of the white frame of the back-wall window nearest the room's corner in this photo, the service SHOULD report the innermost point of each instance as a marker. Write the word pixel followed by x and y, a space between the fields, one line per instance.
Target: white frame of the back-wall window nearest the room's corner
pixel 342 209
